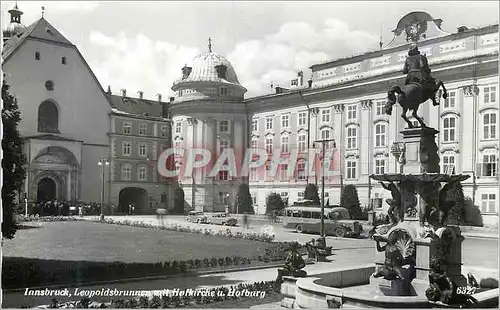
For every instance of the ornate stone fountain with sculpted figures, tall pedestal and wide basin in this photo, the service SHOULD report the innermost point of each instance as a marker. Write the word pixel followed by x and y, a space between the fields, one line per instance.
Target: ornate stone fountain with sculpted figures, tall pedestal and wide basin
pixel 418 257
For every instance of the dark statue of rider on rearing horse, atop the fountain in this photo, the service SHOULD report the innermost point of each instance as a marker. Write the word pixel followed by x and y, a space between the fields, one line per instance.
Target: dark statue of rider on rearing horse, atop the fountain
pixel 419 87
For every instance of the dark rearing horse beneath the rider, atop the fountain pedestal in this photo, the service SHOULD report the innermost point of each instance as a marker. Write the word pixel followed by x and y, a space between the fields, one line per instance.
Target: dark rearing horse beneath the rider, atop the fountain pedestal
pixel 411 96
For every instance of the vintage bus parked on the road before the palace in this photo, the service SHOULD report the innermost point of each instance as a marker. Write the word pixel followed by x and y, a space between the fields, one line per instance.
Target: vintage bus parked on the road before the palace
pixel 307 219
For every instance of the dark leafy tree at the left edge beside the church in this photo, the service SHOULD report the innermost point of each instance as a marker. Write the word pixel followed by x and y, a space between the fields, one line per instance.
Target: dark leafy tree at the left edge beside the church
pixel 13 162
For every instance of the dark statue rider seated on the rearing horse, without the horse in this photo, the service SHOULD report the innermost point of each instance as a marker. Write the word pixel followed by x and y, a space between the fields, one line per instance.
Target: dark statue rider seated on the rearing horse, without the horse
pixel 417 70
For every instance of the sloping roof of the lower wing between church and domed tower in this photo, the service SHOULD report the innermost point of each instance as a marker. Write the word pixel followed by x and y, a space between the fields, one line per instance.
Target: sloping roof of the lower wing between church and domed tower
pixel 135 106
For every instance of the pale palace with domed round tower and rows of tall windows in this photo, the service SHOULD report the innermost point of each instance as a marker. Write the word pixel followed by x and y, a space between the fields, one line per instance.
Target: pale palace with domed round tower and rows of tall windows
pixel 344 101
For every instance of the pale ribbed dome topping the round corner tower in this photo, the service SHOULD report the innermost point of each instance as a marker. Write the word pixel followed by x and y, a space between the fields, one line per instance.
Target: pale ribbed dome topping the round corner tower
pixel 204 68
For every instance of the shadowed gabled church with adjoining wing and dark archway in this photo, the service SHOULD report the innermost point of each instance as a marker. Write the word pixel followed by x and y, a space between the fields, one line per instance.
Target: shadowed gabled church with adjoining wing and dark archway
pixel 82 142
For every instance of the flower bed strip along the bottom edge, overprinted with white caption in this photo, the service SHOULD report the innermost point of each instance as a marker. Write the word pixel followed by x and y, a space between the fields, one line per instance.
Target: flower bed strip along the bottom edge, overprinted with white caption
pixel 214 295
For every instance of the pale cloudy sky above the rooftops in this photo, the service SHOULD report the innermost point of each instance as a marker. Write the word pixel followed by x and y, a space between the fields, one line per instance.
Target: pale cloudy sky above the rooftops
pixel 142 46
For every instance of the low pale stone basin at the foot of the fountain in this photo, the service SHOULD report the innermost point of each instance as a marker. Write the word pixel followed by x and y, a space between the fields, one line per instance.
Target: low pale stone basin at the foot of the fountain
pixel 350 287
